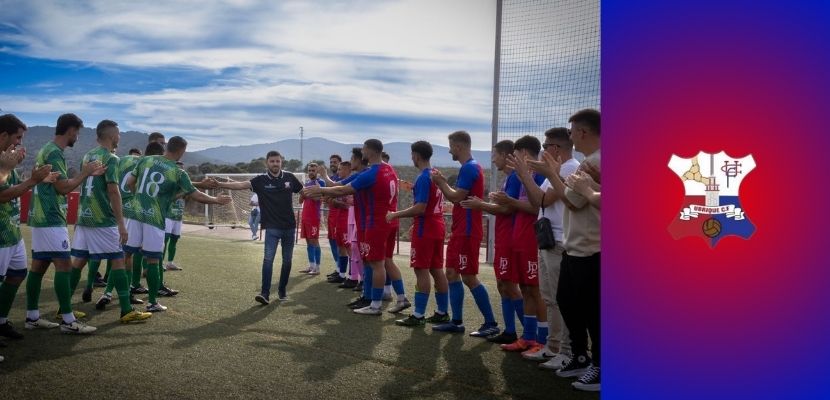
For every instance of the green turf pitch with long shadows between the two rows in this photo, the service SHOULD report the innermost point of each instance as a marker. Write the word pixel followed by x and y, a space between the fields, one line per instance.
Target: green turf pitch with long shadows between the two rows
pixel 216 342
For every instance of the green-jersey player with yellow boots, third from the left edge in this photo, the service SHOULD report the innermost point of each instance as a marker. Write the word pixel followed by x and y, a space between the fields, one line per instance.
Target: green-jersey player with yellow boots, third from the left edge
pixel 100 230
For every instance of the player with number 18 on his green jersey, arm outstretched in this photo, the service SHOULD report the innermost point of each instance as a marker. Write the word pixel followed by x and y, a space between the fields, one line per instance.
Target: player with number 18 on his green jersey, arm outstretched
pixel 155 182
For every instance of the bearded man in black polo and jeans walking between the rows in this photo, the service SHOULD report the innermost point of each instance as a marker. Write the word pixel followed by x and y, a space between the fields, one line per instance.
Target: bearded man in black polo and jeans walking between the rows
pixel 274 189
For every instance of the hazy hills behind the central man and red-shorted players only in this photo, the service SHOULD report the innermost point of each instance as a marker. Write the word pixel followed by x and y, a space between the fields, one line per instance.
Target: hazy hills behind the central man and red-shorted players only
pixel 321 149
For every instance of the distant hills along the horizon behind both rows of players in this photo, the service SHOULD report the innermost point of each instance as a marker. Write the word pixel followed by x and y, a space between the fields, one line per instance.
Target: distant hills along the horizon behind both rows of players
pixel 313 149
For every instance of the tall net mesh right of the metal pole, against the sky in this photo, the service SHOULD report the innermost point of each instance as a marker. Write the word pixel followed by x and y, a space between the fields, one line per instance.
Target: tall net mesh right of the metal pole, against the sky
pixel 549 64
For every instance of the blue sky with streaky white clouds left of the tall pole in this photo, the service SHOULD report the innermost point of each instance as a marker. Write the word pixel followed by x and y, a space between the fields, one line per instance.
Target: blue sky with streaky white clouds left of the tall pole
pixel 242 72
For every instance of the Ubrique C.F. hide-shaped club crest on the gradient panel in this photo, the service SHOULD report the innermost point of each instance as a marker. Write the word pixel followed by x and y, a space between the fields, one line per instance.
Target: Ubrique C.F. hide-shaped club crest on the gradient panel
pixel 711 208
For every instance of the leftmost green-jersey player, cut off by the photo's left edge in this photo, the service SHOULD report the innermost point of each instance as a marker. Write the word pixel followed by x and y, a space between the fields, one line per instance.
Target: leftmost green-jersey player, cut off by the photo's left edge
pixel 12 249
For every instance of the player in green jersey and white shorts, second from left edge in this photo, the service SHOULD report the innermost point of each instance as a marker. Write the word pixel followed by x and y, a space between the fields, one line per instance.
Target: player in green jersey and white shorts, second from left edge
pixel 50 237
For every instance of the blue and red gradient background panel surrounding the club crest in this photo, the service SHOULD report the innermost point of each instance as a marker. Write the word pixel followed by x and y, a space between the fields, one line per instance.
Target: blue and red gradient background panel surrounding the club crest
pixel 747 319
